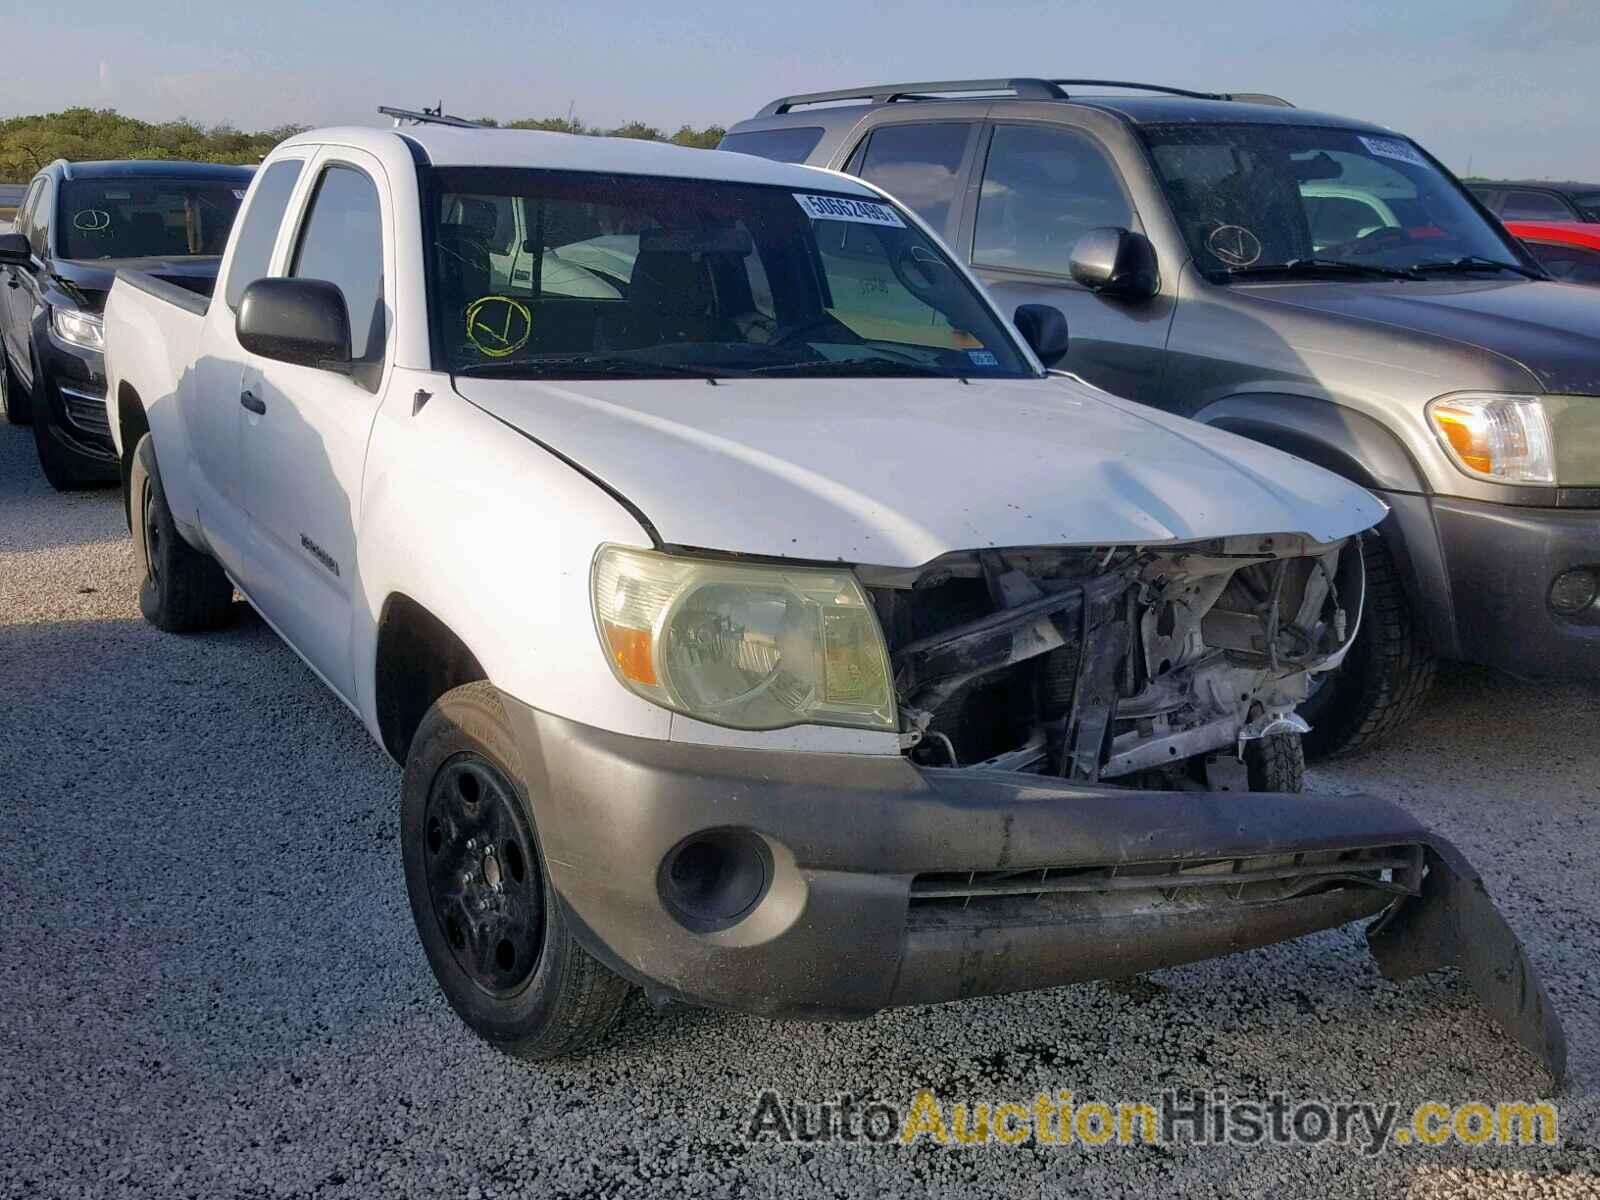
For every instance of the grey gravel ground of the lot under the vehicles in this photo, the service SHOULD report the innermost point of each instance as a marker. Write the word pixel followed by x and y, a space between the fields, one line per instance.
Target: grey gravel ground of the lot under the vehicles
pixel 210 986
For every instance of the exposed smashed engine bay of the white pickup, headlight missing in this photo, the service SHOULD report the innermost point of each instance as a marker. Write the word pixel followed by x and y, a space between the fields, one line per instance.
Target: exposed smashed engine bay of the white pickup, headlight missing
pixel 1143 665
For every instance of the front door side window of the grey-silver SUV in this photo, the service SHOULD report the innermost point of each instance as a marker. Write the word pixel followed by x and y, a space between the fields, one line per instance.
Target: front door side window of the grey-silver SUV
pixel 1042 190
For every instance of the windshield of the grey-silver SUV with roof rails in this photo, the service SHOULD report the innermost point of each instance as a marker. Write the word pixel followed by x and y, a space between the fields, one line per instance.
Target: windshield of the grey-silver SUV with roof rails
pixel 1257 199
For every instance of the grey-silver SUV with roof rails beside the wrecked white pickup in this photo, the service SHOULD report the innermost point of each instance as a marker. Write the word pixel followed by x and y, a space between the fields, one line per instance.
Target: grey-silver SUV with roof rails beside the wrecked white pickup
pixel 1313 282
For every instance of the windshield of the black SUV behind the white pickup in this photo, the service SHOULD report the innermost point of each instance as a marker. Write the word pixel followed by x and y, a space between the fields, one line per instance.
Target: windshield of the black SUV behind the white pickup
pixel 146 218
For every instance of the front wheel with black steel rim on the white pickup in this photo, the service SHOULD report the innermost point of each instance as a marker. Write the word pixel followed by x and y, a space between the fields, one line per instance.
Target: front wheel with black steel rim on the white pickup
pixel 489 919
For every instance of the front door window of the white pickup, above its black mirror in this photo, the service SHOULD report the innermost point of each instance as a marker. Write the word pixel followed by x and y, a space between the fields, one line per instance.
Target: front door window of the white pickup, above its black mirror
pixel 343 242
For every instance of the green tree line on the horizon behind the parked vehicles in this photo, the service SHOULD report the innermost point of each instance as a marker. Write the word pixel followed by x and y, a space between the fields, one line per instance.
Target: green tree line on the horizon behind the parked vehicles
pixel 82 135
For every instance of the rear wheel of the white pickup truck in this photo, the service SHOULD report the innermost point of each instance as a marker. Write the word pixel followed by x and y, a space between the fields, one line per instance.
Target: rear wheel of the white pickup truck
pixel 185 590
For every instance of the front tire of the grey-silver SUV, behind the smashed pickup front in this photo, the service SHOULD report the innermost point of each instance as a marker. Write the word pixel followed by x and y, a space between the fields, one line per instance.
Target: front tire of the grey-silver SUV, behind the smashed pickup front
pixel 1386 676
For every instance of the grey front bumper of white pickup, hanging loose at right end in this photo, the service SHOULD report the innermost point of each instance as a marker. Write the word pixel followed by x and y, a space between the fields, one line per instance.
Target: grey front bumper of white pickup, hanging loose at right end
pixel 810 886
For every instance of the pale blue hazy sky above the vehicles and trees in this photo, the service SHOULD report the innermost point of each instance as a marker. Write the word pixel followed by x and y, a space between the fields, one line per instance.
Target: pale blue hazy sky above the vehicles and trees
pixel 1492 87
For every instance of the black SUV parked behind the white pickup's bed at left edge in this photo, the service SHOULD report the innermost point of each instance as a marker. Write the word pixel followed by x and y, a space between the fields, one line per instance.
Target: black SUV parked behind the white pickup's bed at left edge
pixel 76 226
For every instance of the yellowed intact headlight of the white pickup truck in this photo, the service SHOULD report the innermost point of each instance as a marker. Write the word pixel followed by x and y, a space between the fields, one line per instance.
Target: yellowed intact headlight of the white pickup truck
pixel 748 647
